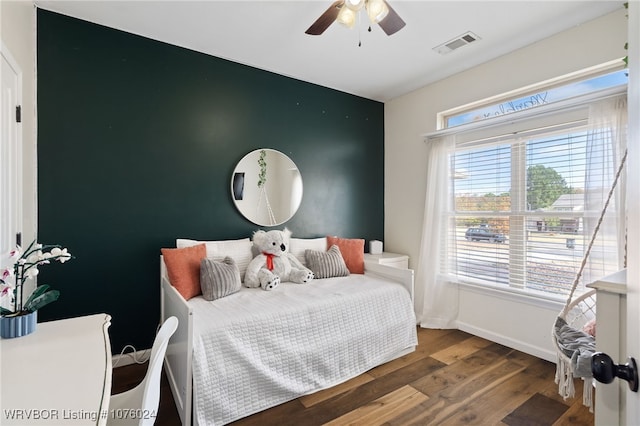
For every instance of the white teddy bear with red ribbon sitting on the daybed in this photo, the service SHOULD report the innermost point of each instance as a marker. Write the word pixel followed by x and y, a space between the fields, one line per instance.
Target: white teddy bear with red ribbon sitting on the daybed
pixel 274 263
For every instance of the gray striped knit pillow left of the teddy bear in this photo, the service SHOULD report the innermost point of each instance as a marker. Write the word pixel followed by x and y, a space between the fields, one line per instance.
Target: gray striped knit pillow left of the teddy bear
pixel 219 278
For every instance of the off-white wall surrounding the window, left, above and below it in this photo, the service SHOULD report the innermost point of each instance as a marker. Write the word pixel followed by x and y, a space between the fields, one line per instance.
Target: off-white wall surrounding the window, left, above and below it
pixel 520 325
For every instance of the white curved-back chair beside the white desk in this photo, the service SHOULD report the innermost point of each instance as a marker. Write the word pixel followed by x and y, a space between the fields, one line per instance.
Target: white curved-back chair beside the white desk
pixel 139 406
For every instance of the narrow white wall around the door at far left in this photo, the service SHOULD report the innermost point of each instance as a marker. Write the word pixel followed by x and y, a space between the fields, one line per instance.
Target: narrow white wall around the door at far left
pixel 18 33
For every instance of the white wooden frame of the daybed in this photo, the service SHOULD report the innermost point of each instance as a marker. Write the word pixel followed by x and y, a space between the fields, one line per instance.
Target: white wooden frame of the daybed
pixel 178 358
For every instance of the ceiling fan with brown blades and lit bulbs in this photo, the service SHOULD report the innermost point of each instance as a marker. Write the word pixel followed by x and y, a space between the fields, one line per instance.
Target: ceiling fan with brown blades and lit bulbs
pixel 345 12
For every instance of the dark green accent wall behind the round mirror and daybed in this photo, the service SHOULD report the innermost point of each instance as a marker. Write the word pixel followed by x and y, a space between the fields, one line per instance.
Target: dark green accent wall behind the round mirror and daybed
pixel 137 142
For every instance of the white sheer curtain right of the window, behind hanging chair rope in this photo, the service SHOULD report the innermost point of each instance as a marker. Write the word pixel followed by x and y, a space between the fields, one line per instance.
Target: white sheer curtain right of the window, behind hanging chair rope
pixel 606 146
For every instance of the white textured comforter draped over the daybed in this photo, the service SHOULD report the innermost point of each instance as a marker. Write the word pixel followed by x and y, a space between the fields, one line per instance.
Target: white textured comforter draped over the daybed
pixel 256 349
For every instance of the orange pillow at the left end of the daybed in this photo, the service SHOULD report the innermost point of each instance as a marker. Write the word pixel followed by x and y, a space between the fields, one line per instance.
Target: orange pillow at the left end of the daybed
pixel 183 268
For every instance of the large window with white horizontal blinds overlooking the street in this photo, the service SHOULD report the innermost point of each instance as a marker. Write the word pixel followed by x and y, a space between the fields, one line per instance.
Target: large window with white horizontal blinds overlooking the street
pixel 525 201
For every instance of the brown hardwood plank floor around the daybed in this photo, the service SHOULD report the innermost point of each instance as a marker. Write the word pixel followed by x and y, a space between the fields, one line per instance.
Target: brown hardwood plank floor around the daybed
pixel 453 378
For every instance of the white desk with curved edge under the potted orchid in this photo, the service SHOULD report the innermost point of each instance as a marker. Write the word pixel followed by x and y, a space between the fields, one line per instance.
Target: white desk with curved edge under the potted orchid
pixel 58 375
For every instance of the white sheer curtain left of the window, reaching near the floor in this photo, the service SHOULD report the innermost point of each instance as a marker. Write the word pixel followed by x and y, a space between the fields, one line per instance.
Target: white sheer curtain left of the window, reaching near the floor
pixel 437 297
